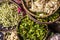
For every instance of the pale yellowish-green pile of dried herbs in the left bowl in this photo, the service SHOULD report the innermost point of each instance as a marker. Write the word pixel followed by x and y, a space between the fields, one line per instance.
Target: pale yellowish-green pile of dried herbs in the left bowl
pixel 8 14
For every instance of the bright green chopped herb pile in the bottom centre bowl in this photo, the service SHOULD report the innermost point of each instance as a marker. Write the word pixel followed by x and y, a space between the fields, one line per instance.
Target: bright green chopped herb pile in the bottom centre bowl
pixel 30 30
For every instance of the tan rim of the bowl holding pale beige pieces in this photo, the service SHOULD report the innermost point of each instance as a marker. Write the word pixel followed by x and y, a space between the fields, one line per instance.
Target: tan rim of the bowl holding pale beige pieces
pixel 31 13
